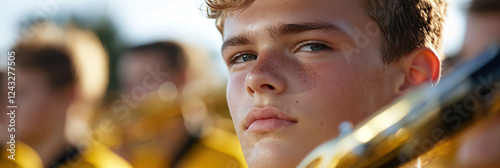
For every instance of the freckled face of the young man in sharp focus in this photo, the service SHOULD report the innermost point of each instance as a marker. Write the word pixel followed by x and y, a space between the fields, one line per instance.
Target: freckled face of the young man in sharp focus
pixel 298 69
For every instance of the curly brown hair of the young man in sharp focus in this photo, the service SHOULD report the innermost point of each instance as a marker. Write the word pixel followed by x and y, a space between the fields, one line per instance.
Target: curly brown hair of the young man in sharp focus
pixel 406 25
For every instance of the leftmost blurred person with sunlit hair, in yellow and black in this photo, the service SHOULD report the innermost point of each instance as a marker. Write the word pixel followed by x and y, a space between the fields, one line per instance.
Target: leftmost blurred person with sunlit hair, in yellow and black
pixel 61 73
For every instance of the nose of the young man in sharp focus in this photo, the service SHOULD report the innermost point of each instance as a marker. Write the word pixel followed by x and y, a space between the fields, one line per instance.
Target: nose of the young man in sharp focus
pixel 266 76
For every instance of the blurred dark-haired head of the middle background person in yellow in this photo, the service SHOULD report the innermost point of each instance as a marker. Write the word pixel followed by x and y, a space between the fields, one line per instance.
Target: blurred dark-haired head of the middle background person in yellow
pixel 163 61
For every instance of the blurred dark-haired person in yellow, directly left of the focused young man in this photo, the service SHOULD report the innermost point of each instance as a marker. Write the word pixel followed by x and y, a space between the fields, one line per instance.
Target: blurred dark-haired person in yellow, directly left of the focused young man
pixel 170 110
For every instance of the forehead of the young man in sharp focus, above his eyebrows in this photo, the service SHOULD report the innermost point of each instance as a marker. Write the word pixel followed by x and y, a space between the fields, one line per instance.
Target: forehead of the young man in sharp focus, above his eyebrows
pixel 262 14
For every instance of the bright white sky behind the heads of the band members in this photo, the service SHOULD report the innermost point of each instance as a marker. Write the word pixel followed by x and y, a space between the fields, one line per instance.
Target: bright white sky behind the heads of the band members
pixel 149 20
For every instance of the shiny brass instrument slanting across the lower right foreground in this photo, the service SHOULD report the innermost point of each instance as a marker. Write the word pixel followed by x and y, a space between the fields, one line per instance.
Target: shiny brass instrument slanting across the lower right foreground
pixel 422 121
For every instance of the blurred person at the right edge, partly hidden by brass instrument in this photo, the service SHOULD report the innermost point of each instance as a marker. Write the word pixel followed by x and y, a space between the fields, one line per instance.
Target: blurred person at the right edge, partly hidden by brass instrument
pixel 480 145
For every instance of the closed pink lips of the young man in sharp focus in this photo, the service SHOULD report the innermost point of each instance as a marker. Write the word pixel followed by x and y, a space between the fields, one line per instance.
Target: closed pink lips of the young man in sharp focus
pixel 268 119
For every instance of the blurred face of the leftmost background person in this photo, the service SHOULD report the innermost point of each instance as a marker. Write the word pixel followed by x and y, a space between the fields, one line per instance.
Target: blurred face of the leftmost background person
pixel 40 107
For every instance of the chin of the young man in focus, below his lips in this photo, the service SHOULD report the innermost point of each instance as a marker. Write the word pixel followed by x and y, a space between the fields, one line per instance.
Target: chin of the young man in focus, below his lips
pixel 276 154
